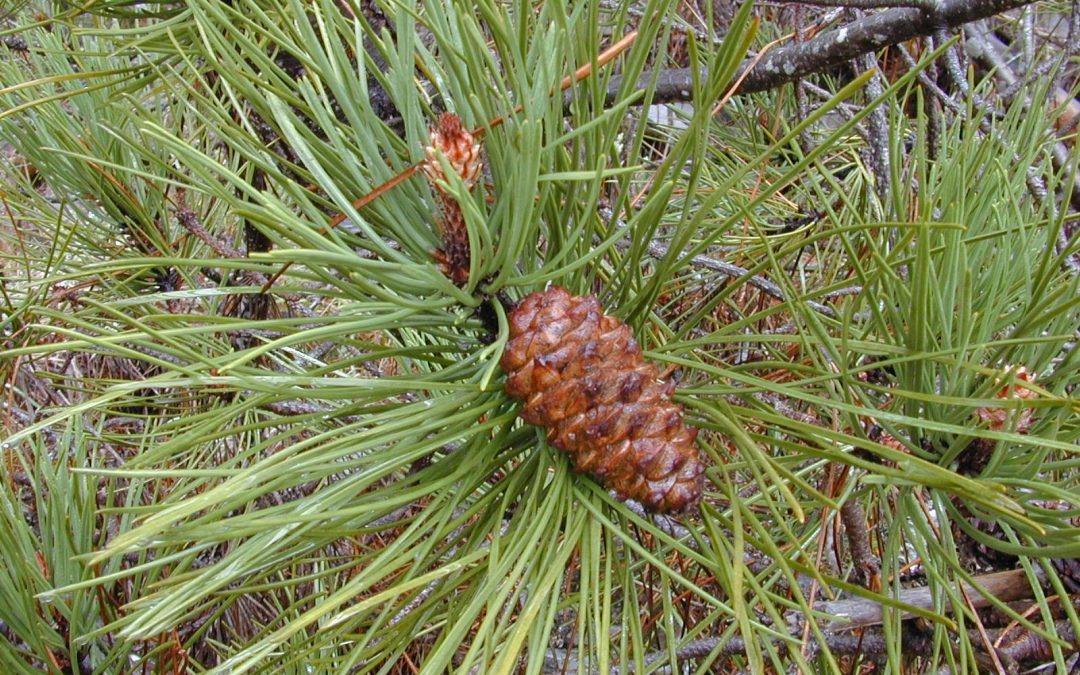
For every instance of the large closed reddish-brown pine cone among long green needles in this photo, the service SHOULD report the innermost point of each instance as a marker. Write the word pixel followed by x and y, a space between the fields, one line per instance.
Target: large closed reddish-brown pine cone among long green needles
pixel 583 376
